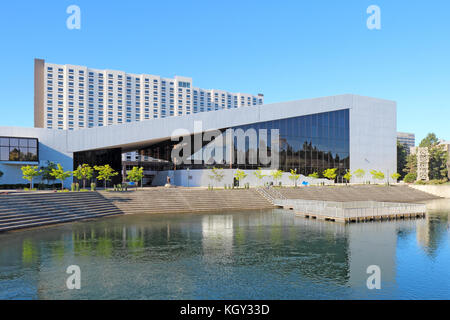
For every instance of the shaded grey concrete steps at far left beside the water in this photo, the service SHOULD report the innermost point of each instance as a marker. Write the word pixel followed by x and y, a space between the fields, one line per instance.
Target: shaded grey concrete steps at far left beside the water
pixel 19 211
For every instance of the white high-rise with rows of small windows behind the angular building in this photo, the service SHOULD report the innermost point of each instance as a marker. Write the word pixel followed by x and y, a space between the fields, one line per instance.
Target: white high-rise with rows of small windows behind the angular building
pixel 69 97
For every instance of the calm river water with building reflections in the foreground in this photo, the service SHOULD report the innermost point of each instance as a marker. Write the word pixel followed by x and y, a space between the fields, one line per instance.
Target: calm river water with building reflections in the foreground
pixel 269 254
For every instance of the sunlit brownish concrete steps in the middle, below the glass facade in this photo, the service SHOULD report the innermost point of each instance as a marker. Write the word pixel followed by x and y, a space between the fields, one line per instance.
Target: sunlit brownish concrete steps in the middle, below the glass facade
pixel 173 200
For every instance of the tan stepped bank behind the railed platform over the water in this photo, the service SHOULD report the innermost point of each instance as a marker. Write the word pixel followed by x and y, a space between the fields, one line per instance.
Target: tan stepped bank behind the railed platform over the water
pixel 393 193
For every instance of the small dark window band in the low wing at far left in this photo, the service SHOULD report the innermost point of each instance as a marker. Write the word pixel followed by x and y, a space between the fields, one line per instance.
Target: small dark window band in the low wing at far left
pixel 19 149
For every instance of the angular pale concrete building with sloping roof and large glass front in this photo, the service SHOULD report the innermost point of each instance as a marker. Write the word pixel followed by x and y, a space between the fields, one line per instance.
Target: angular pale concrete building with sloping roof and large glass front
pixel 347 132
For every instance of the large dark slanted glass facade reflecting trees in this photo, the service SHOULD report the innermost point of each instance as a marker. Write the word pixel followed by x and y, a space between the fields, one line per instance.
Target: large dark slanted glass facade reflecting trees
pixel 310 143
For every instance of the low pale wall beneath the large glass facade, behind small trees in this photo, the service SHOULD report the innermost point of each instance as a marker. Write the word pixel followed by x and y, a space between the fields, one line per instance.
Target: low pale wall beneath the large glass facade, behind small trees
pixel 200 178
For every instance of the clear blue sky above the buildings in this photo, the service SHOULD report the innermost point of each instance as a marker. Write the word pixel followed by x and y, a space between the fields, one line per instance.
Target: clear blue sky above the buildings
pixel 287 50
